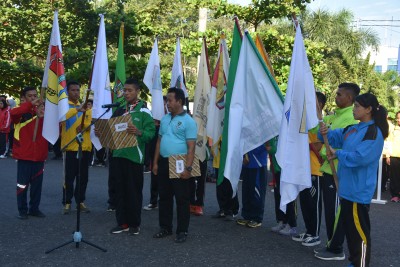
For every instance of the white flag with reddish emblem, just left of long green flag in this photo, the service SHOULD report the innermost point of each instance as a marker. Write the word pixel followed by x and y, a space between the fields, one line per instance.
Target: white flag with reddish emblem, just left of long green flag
pixel 216 107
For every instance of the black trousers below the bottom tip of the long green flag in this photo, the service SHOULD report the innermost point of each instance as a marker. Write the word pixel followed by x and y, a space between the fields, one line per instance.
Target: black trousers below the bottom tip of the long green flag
pixel 227 204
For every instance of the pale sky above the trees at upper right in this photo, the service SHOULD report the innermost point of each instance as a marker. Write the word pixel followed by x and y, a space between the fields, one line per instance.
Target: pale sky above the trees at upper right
pixel 363 10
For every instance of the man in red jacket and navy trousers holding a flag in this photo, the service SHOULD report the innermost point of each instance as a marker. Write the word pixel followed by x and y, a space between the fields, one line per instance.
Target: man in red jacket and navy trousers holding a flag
pixel 30 154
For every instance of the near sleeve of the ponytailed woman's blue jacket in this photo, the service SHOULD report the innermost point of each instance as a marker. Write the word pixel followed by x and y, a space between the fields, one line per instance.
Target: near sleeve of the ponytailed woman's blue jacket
pixel 364 155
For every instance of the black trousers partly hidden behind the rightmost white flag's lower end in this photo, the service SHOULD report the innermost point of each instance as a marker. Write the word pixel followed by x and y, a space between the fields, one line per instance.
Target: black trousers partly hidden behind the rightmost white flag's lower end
pixel 290 217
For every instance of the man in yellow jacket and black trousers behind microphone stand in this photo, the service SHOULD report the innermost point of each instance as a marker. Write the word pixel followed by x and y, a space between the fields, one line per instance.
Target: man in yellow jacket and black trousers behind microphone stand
pixel 69 129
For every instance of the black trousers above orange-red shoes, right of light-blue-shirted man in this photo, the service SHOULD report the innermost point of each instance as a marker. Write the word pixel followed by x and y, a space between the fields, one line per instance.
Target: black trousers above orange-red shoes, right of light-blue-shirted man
pixel 197 186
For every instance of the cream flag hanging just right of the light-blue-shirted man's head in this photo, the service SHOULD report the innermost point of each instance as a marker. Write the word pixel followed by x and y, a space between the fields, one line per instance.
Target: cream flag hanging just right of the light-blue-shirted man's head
pixel 201 99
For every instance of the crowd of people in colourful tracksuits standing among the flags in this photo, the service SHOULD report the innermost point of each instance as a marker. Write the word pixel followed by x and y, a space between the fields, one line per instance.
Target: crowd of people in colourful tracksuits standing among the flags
pixel 356 132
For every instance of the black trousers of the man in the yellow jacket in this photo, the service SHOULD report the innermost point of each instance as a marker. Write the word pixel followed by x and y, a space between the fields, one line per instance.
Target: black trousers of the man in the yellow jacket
pixel 71 170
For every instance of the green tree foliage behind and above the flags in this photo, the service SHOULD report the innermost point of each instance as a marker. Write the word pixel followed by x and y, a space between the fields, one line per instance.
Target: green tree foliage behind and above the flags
pixel 333 46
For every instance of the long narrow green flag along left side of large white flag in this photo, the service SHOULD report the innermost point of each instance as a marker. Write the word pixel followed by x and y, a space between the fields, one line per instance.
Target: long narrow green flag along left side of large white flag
pixel 235 51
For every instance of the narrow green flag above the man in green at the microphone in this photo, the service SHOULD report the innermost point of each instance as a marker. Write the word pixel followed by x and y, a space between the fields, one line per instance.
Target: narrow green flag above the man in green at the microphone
pixel 120 75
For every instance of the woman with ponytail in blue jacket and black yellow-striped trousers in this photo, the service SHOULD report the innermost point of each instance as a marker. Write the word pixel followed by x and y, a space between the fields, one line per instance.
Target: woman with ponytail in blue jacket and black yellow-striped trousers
pixel 361 147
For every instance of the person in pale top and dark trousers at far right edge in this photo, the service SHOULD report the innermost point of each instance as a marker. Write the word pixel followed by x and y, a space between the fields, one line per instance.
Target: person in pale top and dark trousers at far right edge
pixel 393 160
